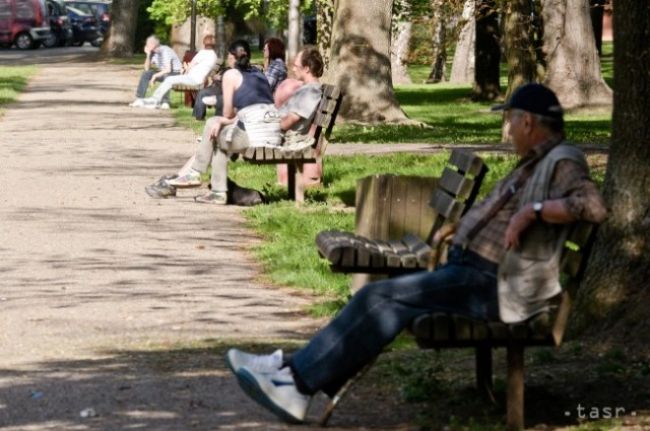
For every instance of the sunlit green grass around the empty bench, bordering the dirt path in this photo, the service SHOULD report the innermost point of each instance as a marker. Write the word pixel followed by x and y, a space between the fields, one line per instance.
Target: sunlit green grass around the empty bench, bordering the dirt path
pixel 288 253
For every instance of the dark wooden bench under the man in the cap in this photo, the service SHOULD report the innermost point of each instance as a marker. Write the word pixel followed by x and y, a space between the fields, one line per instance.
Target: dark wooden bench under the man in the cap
pixel 439 330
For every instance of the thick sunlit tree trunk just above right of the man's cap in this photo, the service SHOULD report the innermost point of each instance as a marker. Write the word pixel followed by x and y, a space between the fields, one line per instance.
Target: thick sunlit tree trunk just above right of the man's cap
pixel 572 62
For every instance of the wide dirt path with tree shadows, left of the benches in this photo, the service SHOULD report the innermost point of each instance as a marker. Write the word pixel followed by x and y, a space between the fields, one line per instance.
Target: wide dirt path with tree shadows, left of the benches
pixel 110 300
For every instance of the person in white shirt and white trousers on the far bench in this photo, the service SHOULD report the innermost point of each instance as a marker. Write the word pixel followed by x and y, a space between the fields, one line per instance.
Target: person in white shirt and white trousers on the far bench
pixel 196 72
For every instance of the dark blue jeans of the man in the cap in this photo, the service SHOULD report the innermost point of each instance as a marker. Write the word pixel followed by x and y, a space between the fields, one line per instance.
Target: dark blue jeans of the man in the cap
pixel 381 310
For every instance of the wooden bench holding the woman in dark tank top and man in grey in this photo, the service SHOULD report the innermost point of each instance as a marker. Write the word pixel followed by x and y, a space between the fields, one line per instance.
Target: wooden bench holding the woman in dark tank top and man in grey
pixel 321 128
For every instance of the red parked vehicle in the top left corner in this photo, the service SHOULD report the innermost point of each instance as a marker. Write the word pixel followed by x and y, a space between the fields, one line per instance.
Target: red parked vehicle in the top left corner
pixel 23 23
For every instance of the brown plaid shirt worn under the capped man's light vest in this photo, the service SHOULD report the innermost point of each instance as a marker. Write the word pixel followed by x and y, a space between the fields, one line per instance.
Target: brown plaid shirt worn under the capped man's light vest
pixel 570 182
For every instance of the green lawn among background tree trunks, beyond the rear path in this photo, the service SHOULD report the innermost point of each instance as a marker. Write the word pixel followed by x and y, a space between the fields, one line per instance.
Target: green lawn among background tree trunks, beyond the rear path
pixel 453 117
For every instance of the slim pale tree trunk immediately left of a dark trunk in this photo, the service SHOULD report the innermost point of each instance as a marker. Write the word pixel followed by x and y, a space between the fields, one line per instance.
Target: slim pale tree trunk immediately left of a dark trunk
pixel 462 68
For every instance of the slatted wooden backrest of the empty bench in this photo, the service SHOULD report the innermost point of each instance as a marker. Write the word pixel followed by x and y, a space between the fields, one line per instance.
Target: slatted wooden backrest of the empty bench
pixel 457 188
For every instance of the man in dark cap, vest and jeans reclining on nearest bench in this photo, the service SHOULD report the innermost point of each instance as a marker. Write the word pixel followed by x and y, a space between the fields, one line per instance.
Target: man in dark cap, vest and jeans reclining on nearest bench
pixel 518 229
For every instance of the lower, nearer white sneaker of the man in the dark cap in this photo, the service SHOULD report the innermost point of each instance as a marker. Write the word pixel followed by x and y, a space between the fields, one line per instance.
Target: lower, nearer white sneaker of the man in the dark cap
pixel 276 392
